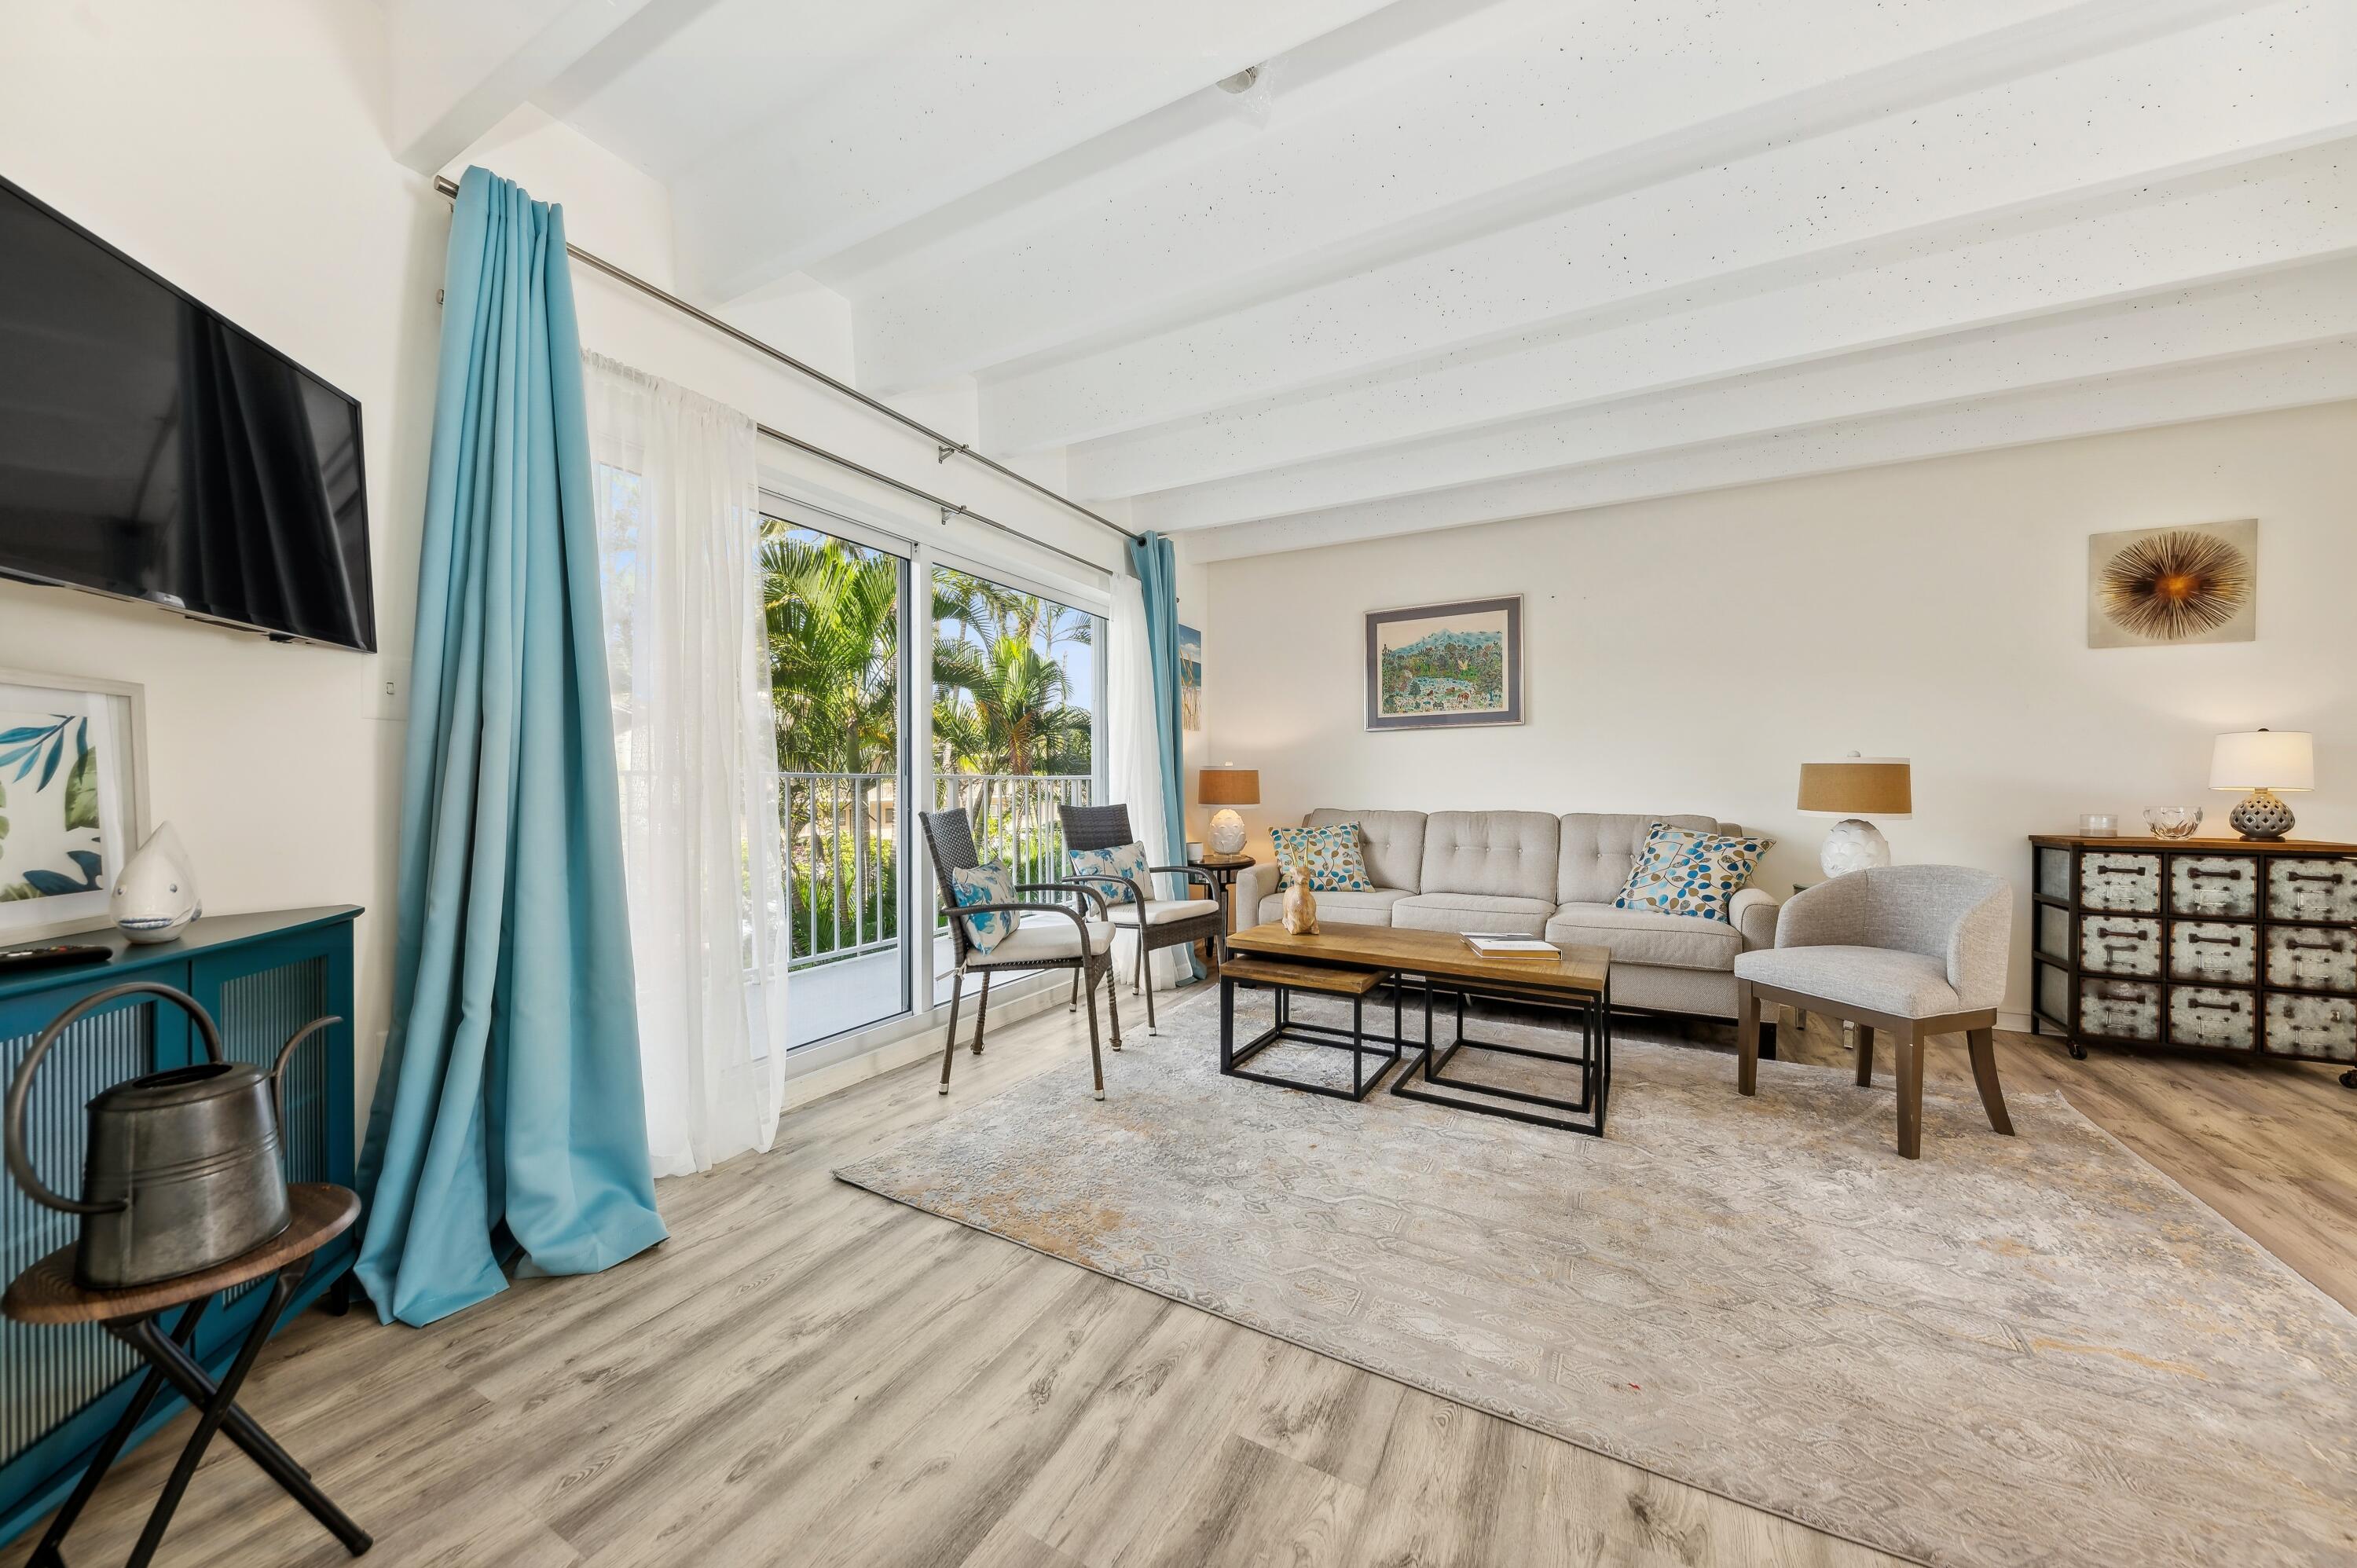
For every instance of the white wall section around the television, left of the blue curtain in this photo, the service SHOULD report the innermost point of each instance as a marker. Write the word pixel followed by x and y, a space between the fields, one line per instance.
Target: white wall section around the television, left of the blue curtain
pixel 242 154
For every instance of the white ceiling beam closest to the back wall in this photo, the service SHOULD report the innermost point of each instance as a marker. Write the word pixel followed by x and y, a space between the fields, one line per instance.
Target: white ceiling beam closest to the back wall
pixel 2290 378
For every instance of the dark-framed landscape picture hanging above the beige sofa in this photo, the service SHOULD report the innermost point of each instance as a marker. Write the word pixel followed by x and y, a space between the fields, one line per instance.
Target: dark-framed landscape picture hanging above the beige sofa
pixel 1446 666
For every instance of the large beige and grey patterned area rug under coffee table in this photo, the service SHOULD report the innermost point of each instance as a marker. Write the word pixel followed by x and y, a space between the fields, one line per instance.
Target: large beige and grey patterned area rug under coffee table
pixel 2026 1350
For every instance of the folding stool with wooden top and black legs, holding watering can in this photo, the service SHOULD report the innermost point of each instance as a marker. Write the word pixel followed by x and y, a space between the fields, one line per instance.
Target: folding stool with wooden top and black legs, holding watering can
pixel 46 1293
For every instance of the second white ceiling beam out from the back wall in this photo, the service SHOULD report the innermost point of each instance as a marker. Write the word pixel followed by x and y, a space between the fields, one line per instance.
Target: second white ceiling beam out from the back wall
pixel 2224 319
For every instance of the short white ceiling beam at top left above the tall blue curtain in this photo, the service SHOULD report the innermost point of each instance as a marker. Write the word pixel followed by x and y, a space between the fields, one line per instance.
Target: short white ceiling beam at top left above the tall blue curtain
pixel 461 67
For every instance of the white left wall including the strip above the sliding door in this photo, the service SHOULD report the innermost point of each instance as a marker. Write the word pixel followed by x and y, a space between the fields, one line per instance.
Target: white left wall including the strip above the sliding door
pixel 244 152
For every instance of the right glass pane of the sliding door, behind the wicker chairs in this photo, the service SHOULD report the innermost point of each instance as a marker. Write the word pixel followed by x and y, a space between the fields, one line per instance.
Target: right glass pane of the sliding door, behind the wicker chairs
pixel 1015 723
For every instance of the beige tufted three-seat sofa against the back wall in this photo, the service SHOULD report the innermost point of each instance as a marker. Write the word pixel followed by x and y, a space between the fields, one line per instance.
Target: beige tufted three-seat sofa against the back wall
pixel 1531 874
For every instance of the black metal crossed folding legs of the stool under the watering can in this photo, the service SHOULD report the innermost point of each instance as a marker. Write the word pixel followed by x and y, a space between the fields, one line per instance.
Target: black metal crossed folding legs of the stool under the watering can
pixel 171 1362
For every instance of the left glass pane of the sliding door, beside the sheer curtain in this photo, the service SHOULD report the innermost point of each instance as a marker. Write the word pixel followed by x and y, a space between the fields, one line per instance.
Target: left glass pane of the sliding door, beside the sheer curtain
pixel 838 661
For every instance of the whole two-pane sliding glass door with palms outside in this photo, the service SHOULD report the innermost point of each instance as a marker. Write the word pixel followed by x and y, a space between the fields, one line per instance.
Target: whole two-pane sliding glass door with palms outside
pixel 982 694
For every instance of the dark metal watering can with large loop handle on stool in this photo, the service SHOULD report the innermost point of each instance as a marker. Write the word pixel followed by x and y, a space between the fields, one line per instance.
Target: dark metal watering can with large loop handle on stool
pixel 183 1168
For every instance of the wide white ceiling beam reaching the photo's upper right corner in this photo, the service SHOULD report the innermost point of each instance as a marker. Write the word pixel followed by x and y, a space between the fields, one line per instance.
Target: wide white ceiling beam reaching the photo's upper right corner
pixel 2085 129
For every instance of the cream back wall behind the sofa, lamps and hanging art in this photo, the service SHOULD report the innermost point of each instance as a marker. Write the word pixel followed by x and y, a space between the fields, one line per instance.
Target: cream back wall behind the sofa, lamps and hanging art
pixel 1689 654
